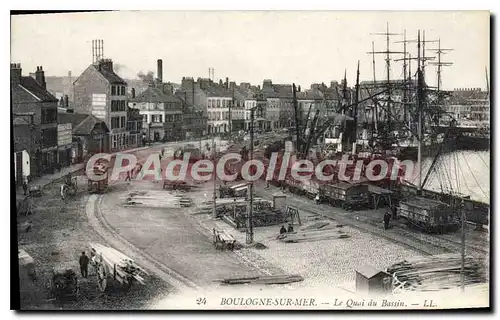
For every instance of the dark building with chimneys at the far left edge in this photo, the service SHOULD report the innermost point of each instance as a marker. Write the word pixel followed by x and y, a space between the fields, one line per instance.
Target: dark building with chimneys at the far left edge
pixel 34 112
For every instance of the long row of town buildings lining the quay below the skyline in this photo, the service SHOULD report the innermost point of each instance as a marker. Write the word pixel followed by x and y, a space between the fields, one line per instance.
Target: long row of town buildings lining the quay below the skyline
pixel 100 112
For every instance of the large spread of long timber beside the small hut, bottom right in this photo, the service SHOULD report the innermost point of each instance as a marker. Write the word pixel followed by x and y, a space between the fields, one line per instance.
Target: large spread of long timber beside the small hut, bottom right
pixel 436 272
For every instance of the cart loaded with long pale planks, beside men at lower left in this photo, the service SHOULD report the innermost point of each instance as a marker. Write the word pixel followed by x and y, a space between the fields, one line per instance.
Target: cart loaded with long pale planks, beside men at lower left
pixel 110 263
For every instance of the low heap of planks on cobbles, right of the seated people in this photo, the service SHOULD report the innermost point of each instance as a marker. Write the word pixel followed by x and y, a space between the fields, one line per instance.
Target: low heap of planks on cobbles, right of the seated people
pixel 316 232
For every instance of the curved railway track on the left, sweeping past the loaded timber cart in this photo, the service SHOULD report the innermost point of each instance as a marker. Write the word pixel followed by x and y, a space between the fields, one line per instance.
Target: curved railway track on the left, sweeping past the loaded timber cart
pixel 170 276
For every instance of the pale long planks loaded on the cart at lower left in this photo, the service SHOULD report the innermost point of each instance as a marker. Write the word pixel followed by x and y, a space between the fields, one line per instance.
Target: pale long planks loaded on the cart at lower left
pixel 118 265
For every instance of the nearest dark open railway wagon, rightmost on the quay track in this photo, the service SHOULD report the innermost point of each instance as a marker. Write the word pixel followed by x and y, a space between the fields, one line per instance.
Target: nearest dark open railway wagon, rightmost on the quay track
pixel 429 215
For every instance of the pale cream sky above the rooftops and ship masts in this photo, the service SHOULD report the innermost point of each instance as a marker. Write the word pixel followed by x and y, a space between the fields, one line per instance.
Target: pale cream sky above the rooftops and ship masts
pixel 303 47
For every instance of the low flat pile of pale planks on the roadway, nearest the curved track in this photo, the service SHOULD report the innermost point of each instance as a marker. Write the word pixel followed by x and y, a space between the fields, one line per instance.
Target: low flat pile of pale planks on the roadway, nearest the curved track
pixel 160 199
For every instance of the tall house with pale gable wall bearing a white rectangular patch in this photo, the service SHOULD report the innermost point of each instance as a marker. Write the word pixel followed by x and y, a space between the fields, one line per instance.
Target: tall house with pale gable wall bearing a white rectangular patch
pixel 99 91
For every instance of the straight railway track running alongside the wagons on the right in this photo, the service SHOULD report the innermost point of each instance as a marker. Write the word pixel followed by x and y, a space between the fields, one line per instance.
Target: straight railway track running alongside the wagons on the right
pixel 427 244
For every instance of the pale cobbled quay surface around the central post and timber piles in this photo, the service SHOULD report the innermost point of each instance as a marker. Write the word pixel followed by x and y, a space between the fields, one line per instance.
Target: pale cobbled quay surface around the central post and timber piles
pixel 326 262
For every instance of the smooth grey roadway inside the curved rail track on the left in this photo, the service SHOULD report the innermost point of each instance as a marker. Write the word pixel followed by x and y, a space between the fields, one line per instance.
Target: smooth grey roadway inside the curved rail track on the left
pixel 173 238
